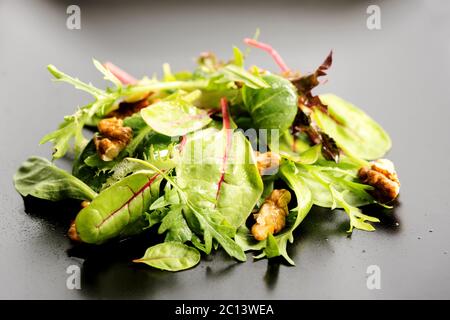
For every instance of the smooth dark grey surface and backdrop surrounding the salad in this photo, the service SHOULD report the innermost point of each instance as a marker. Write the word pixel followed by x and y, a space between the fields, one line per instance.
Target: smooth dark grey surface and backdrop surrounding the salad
pixel 399 75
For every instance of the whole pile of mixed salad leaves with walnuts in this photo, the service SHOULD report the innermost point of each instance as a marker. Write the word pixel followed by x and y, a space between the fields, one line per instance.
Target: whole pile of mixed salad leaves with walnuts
pixel 210 158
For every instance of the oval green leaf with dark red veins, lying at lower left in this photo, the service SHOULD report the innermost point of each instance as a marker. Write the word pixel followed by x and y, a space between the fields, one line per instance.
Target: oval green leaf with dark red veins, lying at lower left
pixel 117 206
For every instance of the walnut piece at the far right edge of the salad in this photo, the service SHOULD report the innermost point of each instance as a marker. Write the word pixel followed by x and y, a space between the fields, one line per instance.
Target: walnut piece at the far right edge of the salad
pixel 382 176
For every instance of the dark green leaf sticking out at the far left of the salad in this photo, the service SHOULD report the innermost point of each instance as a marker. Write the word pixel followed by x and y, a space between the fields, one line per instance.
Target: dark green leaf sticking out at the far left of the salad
pixel 40 178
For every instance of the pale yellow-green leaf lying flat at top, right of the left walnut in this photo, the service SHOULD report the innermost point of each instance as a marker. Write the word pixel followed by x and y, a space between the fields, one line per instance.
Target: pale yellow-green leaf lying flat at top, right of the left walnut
pixel 175 117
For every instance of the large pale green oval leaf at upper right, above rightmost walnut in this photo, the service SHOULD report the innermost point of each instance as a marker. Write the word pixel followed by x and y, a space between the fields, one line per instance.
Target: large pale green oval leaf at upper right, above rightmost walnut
pixel 352 129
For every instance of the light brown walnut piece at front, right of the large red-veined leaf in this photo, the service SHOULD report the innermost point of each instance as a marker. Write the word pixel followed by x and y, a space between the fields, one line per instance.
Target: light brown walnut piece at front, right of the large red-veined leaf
pixel 271 217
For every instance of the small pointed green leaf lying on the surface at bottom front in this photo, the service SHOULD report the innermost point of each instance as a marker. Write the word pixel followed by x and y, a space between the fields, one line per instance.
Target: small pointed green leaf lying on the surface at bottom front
pixel 170 256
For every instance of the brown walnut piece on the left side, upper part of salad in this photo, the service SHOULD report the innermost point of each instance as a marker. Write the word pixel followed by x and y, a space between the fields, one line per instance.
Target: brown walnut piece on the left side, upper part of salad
pixel 113 138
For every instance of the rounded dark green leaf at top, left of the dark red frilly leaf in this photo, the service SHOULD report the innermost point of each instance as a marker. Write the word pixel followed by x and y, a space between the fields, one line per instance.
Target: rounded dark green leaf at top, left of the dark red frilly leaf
pixel 274 107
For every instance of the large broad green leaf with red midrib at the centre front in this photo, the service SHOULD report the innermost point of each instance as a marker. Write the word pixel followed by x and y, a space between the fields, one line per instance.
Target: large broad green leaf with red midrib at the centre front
pixel 199 174
